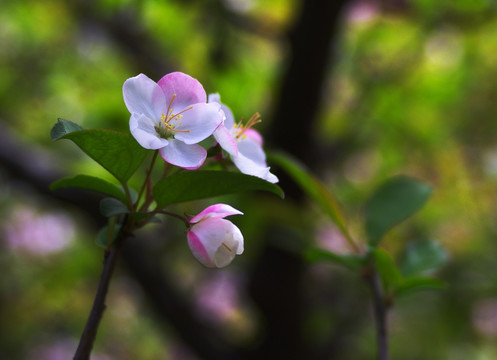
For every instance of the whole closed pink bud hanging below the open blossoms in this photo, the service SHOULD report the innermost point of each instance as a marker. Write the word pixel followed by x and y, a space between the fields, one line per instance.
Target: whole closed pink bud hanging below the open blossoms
pixel 213 240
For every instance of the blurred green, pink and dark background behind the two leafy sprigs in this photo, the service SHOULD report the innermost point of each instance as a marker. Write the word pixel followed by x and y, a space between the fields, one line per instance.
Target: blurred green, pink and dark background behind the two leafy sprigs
pixel 358 90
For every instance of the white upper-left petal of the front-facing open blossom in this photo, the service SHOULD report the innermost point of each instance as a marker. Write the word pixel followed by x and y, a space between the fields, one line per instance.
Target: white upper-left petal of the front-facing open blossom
pixel 143 96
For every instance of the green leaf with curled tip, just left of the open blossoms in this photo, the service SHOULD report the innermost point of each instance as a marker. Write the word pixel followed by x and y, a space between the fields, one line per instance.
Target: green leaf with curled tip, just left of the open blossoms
pixel 117 152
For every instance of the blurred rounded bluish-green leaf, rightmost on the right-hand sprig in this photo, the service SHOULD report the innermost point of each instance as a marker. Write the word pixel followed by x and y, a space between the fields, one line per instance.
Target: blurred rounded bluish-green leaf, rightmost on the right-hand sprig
pixel 422 257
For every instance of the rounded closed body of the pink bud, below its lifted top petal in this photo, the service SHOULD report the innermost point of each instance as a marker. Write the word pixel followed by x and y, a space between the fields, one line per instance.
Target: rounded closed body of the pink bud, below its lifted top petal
pixel 215 242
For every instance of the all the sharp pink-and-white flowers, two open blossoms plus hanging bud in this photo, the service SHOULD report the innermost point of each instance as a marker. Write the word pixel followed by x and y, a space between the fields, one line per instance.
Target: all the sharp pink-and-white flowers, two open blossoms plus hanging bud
pixel 173 116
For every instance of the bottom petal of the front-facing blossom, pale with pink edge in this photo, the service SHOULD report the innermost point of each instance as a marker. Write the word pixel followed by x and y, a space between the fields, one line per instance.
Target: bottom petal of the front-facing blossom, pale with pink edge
pixel 186 156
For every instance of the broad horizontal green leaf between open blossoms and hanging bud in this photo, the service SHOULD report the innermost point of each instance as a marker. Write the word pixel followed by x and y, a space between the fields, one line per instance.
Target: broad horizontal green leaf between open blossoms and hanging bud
pixel 194 185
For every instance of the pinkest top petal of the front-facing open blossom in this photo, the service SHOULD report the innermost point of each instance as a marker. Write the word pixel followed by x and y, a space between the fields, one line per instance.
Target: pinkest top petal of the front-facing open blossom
pixel 185 90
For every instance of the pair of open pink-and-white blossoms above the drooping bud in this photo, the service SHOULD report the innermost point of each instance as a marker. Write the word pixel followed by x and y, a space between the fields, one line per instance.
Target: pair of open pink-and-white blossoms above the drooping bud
pixel 173 116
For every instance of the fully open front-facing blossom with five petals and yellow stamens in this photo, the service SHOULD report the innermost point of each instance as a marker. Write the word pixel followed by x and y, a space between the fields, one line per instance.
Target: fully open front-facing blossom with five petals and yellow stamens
pixel 171 116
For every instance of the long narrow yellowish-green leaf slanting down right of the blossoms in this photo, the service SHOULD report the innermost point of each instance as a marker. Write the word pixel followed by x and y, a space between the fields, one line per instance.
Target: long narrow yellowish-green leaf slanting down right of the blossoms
pixel 313 188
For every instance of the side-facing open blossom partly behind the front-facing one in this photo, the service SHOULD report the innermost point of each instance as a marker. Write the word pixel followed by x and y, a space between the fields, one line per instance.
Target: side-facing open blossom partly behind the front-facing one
pixel 243 143
